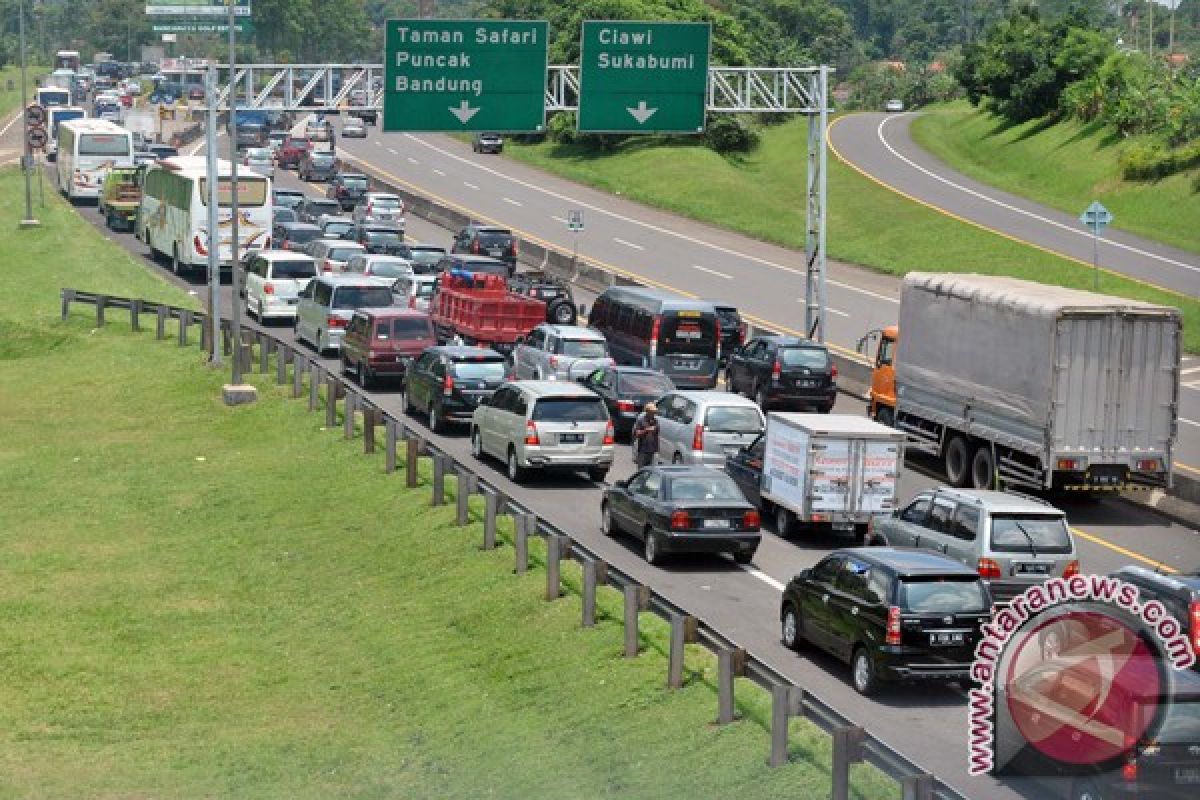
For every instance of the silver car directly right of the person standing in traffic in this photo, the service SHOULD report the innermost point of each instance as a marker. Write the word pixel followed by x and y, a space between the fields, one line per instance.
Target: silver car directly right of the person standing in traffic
pixel 699 428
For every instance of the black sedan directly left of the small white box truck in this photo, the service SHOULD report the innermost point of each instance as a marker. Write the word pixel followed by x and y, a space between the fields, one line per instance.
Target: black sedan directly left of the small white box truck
pixel 682 510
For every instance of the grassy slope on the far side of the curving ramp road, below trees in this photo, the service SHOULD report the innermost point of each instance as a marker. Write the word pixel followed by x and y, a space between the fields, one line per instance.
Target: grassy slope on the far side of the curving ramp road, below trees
pixel 1084 159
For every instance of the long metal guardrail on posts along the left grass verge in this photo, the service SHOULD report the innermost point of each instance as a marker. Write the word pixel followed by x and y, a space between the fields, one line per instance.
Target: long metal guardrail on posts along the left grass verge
pixel 853 743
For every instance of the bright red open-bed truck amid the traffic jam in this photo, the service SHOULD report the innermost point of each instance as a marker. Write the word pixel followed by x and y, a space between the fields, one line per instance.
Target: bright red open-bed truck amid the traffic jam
pixel 481 310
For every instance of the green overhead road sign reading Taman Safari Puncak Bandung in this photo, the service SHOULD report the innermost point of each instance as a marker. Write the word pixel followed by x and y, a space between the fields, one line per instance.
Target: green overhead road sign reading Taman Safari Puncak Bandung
pixel 465 75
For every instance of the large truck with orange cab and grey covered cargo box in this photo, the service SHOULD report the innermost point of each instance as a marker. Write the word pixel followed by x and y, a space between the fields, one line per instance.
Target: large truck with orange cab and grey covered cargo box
pixel 1013 383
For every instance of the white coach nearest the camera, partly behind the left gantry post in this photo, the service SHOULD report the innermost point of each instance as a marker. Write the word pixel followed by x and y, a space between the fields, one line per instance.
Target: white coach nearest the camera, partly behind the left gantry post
pixel 173 219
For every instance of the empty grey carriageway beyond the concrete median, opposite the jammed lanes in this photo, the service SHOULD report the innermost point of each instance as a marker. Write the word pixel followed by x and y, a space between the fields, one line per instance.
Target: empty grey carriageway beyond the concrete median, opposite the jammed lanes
pixel 662 249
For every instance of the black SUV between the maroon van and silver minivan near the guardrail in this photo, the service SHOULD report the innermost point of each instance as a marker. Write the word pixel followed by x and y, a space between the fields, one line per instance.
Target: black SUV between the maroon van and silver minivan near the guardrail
pixel 449 382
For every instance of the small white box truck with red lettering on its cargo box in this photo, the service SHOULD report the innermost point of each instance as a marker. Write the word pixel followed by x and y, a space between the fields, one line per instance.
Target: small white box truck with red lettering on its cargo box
pixel 821 471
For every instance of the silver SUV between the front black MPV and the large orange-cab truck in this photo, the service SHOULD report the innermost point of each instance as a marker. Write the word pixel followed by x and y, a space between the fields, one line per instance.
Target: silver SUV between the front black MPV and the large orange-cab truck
pixel 1015 542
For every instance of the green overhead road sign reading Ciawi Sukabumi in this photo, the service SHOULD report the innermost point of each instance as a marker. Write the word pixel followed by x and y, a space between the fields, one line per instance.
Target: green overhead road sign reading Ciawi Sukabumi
pixel 639 77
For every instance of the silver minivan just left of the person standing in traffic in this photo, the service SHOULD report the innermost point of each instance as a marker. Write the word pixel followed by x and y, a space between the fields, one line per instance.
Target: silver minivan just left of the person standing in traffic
pixel 544 425
